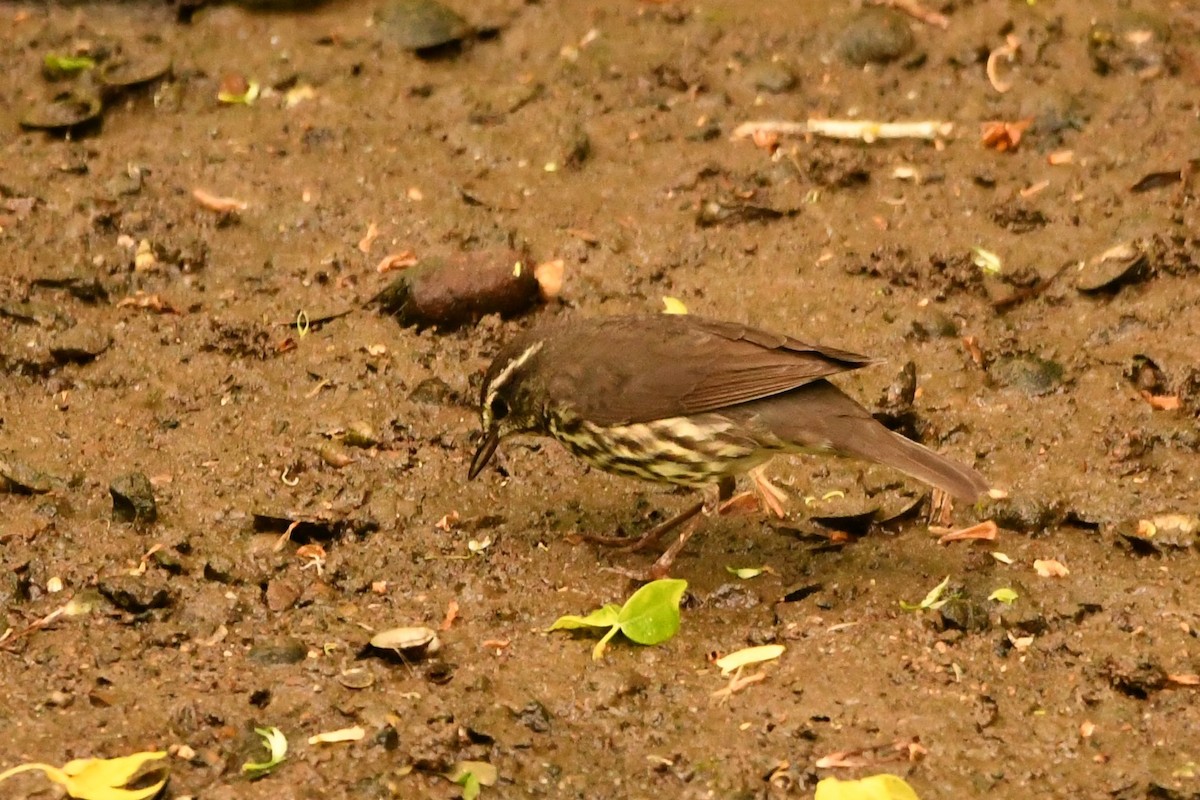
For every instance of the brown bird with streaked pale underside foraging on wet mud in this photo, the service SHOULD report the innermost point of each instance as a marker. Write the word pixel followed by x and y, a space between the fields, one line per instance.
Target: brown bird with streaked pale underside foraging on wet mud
pixel 692 402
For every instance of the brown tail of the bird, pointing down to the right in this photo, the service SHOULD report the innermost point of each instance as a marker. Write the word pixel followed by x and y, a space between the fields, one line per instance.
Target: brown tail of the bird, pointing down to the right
pixel 819 417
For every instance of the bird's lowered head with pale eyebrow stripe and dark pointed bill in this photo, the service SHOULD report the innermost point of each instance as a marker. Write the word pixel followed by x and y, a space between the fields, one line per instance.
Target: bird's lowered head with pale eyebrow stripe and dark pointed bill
pixel 508 400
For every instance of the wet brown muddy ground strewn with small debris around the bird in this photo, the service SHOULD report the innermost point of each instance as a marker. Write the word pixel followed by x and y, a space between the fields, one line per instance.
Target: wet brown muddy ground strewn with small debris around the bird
pixel 1071 380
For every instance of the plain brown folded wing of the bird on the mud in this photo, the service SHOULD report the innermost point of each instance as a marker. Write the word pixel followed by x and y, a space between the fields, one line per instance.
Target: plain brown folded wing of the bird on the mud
pixel 659 366
